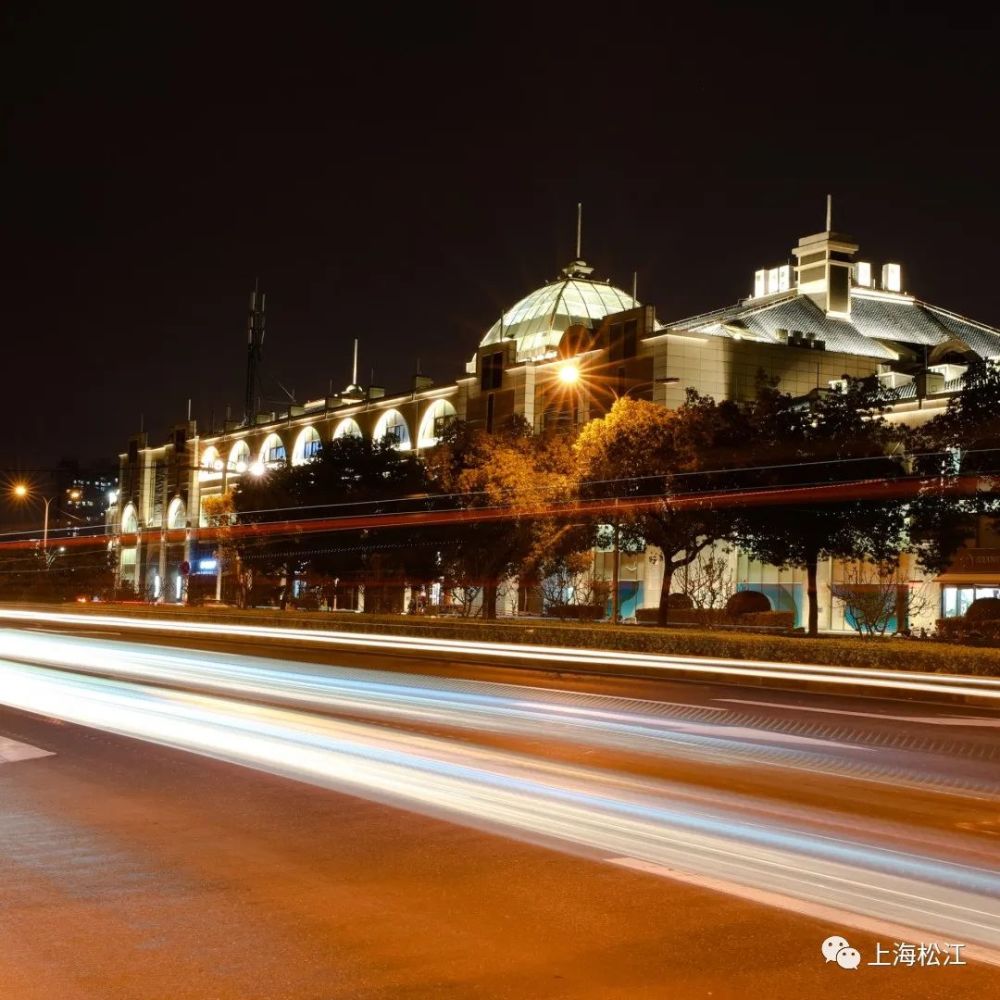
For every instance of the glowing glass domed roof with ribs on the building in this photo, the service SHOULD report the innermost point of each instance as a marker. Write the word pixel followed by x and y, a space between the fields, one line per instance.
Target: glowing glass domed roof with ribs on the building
pixel 539 320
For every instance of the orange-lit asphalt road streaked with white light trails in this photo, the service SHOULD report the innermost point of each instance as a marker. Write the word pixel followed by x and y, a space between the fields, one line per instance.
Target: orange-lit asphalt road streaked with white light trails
pixel 136 870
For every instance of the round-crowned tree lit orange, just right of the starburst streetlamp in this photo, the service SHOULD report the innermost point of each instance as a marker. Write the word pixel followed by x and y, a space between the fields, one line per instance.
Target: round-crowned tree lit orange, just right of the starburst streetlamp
pixel 641 451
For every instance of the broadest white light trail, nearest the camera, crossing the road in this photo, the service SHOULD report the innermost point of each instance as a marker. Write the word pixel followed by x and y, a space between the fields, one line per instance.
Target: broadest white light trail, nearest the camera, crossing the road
pixel 665 827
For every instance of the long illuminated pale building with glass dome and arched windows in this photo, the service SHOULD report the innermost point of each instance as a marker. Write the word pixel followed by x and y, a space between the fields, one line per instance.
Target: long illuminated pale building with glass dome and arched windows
pixel 819 314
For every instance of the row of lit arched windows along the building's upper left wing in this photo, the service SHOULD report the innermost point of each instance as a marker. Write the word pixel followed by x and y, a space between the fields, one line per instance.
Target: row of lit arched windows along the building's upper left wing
pixel 308 444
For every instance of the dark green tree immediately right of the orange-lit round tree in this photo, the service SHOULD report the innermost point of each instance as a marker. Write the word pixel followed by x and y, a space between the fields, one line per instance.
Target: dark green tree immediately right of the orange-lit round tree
pixel 828 438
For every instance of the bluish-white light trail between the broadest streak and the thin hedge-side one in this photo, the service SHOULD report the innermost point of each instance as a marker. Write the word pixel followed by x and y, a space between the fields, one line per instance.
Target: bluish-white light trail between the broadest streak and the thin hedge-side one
pixel 615 723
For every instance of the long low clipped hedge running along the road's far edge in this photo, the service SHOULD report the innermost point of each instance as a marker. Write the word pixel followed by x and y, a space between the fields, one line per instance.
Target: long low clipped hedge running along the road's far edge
pixel 849 651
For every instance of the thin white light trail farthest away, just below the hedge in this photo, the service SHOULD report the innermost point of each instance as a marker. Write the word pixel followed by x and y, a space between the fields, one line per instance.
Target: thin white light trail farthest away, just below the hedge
pixel 559 658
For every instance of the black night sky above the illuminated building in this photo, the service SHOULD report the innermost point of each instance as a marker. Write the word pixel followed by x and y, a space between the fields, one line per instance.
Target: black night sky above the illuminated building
pixel 400 179
